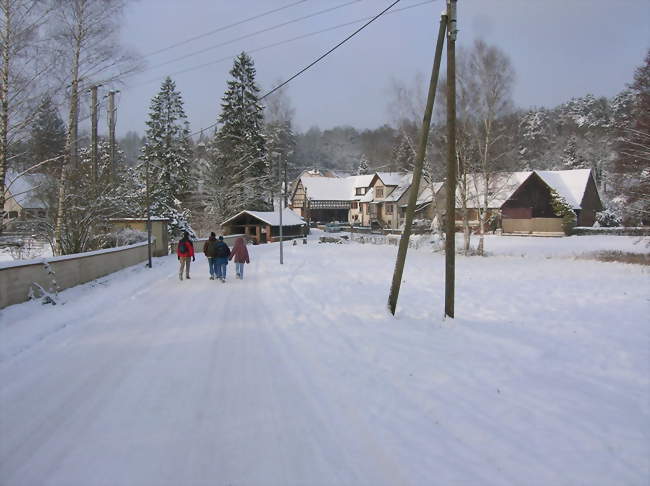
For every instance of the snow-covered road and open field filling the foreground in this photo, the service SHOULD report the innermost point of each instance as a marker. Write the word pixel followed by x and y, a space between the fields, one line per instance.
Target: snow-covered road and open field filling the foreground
pixel 299 375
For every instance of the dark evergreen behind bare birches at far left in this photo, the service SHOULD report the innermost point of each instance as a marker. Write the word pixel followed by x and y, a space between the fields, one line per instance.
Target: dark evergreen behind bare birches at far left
pixel 47 134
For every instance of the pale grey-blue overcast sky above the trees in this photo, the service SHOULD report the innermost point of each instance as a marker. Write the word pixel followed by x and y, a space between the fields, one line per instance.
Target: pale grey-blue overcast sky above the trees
pixel 559 49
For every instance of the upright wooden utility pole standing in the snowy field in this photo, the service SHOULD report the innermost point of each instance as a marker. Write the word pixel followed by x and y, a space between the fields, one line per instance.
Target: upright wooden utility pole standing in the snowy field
pixel 450 238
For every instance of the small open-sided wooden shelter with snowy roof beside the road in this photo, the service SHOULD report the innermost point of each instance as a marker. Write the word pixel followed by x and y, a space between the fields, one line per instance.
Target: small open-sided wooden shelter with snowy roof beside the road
pixel 264 226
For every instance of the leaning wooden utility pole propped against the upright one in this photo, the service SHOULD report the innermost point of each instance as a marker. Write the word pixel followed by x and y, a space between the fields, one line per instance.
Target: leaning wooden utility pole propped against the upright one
pixel 417 171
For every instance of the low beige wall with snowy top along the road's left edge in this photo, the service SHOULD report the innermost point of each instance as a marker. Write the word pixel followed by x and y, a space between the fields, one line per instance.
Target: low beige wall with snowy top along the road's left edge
pixel 16 278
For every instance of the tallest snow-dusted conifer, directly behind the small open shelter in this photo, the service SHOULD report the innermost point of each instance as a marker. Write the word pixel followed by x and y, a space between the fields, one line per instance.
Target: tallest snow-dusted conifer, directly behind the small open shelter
pixel 240 165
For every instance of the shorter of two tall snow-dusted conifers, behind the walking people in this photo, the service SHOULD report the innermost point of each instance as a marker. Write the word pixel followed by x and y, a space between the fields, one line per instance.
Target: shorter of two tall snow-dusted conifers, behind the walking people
pixel 169 153
